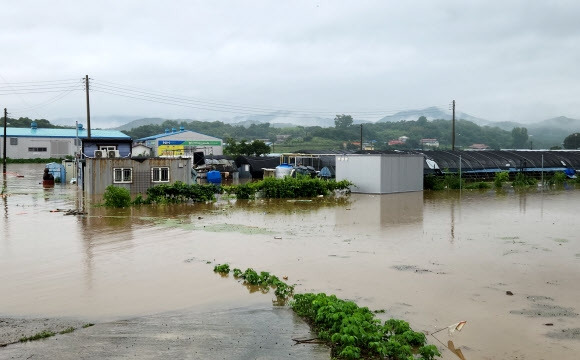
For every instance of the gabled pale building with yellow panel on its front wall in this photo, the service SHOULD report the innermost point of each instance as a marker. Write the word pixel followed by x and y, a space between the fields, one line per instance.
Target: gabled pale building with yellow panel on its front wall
pixel 182 143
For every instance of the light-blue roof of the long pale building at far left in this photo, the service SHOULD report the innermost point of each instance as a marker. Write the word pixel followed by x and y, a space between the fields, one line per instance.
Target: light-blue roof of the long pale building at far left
pixel 64 133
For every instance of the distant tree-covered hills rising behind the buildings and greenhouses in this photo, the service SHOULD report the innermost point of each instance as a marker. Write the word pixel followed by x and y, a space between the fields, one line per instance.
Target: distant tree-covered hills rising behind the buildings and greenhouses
pixel 333 138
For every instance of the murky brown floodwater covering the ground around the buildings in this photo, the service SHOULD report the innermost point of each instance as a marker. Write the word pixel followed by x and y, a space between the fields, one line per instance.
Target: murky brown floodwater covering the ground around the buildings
pixel 432 259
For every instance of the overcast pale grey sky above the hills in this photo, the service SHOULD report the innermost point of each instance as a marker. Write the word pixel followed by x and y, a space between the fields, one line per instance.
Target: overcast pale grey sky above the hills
pixel 500 60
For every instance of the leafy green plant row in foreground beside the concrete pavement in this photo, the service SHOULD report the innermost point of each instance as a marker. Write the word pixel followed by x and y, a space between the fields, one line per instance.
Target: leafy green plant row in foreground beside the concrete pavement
pixel 351 331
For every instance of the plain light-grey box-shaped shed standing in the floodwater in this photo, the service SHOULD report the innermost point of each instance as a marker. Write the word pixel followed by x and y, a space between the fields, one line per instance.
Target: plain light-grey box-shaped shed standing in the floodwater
pixel 381 173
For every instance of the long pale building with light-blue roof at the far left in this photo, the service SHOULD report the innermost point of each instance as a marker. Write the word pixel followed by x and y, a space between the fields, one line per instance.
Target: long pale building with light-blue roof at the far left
pixel 44 143
